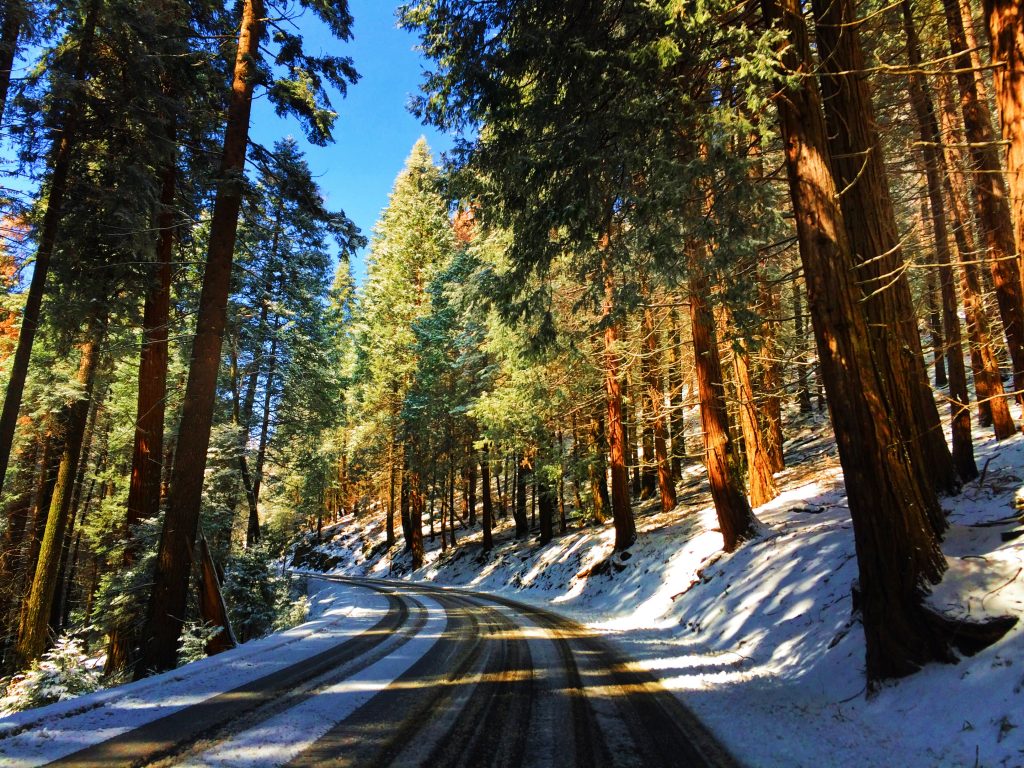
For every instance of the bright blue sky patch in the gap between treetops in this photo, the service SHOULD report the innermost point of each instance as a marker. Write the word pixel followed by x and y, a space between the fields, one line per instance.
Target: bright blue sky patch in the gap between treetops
pixel 375 131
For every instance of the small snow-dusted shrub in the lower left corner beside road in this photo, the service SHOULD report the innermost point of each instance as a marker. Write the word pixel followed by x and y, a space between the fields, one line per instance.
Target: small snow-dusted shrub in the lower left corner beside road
pixel 64 672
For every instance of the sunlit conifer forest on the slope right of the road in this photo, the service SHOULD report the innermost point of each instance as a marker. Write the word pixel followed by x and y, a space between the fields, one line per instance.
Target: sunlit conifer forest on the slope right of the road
pixel 737 207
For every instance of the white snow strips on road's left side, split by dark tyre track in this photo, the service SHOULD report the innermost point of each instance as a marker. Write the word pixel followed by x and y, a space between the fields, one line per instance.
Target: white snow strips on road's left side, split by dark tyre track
pixel 339 613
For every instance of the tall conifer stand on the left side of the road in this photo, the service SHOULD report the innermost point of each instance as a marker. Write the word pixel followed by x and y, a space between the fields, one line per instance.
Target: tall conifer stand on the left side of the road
pixel 172 360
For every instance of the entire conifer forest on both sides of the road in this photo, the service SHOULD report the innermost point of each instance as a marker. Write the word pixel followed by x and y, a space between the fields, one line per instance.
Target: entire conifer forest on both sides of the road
pixel 668 233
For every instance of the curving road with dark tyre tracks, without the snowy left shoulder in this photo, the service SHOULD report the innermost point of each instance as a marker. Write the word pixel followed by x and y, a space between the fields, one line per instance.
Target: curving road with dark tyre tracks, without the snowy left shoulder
pixel 504 685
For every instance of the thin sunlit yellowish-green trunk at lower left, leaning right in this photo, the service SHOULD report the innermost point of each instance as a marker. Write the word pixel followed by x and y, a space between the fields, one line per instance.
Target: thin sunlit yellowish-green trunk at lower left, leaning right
pixel 33 636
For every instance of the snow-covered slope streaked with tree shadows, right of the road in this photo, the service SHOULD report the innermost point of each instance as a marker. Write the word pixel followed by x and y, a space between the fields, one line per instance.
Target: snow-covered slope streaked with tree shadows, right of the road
pixel 762 644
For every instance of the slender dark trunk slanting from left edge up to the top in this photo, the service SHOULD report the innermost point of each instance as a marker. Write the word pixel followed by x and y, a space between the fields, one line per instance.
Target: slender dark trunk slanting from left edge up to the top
pixel 64 144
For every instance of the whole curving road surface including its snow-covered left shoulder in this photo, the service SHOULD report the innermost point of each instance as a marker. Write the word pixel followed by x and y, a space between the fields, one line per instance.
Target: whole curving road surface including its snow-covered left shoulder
pixel 416 675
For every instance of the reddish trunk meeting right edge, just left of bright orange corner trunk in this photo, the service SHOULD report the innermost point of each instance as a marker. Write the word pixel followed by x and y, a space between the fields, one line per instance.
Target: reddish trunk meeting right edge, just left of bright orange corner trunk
pixel 997 230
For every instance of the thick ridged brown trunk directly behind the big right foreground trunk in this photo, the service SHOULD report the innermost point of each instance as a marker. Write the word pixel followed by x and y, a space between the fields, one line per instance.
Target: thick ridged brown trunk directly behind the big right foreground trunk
pixel 860 169
